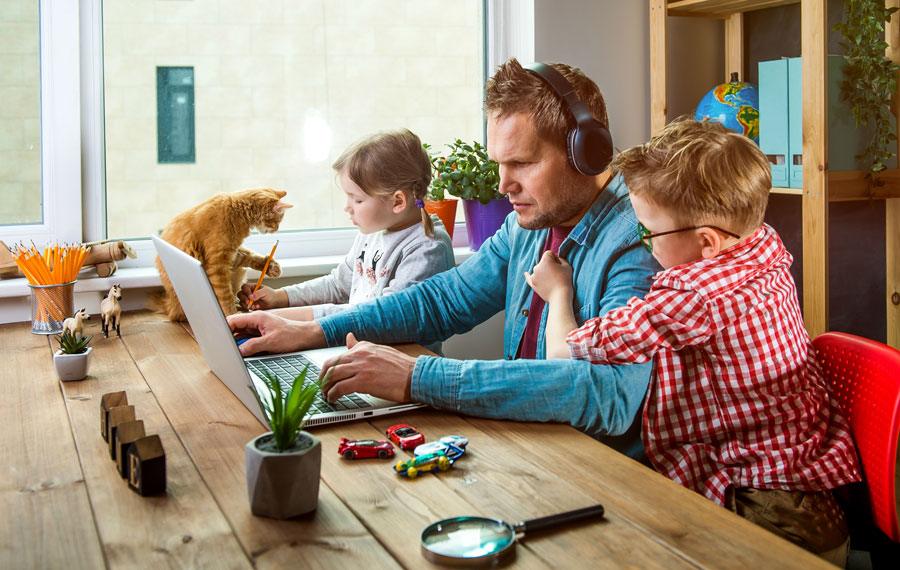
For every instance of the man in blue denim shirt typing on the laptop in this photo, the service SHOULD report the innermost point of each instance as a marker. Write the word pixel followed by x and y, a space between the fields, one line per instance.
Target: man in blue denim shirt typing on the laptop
pixel 588 220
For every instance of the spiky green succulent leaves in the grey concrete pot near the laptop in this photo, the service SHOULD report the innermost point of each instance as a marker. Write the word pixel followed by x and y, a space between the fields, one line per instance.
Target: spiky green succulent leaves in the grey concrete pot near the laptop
pixel 288 415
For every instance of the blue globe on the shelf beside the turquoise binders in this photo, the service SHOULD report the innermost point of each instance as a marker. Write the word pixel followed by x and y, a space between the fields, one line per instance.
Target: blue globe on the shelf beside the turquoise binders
pixel 734 104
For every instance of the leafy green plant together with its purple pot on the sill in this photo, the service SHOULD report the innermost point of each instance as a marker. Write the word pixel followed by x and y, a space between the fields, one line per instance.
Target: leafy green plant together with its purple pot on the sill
pixel 467 173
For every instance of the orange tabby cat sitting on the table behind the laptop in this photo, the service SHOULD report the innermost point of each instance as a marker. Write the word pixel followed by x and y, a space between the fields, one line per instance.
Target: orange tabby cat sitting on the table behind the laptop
pixel 213 232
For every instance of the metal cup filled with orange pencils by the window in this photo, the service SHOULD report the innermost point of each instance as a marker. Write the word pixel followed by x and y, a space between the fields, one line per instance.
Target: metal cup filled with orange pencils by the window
pixel 51 277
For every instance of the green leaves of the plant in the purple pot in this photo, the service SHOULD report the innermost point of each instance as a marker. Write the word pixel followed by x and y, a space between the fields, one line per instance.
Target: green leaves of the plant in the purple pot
pixel 466 172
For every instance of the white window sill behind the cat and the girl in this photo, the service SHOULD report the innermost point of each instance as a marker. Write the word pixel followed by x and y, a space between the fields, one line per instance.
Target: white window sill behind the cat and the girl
pixel 90 288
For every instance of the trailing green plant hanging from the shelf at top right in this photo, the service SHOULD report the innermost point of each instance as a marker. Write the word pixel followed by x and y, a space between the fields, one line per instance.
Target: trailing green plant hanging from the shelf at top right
pixel 871 82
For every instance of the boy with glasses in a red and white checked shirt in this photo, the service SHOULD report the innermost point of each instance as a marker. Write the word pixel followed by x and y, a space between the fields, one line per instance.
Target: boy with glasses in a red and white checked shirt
pixel 737 408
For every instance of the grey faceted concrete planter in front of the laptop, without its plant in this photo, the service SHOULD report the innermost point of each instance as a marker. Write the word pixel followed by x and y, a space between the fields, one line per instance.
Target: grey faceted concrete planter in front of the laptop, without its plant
pixel 282 485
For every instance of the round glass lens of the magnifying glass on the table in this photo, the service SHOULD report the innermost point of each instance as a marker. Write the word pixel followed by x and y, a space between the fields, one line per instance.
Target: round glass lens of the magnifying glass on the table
pixel 467 537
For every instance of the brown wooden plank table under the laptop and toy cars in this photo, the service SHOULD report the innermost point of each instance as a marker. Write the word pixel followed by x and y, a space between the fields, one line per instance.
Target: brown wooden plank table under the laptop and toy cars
pixel 64 505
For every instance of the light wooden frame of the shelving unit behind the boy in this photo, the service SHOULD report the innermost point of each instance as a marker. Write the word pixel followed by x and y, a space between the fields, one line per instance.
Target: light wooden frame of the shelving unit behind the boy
pixel 820 187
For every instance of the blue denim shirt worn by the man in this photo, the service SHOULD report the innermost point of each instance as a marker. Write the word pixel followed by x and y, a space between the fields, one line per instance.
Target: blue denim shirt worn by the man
pixel 610 266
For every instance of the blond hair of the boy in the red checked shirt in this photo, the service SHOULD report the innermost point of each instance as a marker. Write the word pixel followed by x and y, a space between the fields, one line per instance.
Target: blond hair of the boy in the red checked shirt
pixel 701 173
